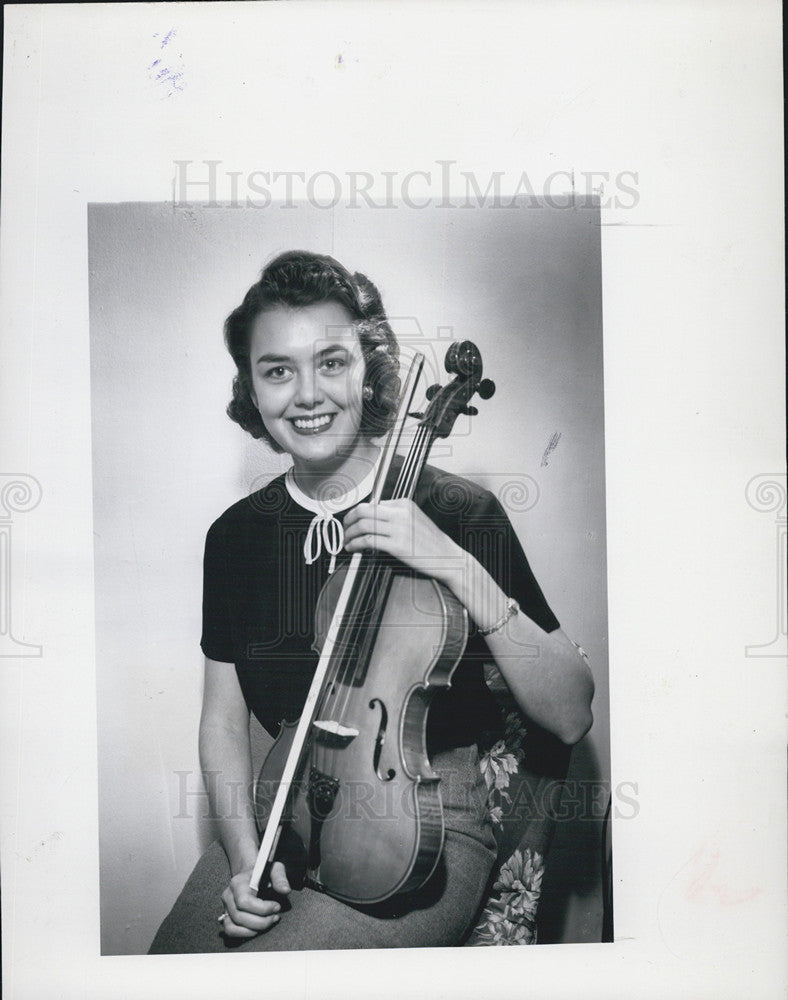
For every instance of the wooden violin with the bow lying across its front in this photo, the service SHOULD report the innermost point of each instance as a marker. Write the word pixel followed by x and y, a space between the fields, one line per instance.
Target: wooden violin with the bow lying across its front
pixel 350 784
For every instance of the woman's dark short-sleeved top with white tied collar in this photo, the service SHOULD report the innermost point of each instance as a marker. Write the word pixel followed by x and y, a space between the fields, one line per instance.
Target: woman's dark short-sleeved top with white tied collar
pixel 259 598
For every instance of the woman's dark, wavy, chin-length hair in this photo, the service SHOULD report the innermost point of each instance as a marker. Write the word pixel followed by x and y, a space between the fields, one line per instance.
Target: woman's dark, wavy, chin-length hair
pixel 299 278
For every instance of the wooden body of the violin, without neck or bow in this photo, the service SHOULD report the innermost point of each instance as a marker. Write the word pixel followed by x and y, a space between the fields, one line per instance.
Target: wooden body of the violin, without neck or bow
pixel 365 806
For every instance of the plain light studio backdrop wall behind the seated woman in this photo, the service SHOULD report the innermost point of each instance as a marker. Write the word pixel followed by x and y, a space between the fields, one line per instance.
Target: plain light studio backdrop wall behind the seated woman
pixel 524 283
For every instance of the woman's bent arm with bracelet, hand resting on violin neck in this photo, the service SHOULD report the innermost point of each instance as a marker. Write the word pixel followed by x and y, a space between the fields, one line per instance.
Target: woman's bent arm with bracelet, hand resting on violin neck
pixel 545 672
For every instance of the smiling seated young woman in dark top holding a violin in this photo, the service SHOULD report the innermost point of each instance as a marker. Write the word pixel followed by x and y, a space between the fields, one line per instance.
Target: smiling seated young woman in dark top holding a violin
pixel 317 377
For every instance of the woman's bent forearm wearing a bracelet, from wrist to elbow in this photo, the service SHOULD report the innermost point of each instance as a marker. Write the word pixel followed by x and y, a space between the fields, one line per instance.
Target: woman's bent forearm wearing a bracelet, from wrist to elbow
pixel 545 672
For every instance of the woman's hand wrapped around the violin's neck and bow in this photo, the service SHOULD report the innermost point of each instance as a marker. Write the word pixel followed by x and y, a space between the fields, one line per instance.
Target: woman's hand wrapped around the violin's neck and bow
pixel 403 530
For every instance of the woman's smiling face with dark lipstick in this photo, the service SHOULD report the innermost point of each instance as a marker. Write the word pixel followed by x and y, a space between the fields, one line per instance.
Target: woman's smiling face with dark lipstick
pixel 307 376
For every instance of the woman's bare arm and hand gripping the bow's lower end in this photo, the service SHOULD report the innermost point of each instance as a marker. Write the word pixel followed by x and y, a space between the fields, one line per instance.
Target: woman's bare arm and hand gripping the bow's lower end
pixel 226 760
